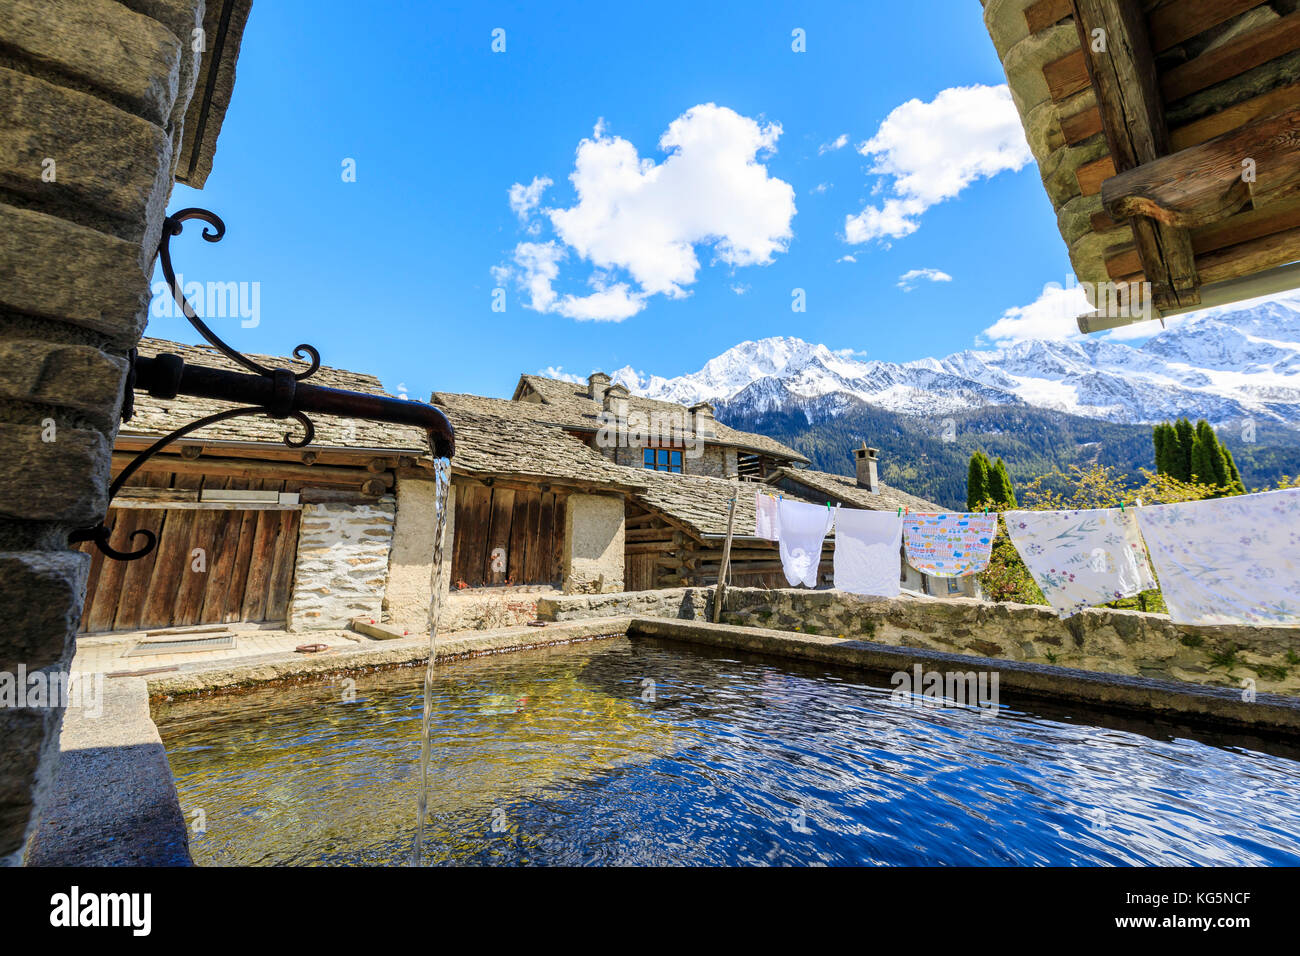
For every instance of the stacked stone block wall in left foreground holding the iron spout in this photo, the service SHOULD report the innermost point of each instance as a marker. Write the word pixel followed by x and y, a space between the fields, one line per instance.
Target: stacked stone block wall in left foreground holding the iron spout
pixel 94 94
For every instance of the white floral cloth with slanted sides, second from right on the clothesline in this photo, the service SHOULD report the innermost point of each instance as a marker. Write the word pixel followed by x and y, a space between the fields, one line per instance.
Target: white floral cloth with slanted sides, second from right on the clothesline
pixel 1082 559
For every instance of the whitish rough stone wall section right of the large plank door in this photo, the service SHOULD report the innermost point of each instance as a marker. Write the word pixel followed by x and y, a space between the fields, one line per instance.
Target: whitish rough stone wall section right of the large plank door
pixel 343 568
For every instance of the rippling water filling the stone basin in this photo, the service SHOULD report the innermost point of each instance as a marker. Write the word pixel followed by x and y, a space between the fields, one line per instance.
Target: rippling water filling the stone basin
pixel 573 756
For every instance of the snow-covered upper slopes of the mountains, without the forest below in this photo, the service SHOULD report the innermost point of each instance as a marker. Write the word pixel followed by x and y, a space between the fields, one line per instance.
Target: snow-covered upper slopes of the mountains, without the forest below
pixel 1224 367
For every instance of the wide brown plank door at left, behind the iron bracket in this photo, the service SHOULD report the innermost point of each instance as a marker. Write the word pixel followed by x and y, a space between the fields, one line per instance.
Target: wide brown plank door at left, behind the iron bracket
pixel 250 563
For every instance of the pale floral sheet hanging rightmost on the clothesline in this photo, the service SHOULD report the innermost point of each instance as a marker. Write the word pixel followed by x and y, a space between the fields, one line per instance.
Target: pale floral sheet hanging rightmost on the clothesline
pixel 1229 561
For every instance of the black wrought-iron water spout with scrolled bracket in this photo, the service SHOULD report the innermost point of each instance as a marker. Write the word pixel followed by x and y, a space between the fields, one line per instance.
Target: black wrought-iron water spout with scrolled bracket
pixel 279 393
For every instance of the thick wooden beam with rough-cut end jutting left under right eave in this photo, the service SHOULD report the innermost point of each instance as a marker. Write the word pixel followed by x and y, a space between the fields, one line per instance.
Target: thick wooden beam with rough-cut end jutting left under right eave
pixel 1259 163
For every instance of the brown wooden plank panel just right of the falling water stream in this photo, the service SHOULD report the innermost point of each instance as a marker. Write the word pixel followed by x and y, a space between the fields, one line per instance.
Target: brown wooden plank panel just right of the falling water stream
pixel 525 529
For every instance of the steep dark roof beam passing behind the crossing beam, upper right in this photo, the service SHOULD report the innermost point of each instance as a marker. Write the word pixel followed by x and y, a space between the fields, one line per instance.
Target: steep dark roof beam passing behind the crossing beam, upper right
pixel 1123 71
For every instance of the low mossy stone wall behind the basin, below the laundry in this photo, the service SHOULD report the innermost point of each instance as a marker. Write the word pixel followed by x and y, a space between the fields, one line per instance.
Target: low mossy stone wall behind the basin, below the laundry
pixel 1115 642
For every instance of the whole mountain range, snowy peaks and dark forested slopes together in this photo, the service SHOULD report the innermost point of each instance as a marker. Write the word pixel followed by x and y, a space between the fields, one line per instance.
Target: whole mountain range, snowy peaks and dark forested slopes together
pixel 1238 369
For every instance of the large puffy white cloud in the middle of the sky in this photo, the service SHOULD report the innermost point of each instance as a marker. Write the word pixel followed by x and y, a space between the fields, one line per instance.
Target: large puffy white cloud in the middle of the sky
pixel 644 220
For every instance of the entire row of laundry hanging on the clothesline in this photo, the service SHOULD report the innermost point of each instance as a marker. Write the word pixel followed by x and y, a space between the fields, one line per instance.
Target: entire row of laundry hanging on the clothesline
pixel 1221 561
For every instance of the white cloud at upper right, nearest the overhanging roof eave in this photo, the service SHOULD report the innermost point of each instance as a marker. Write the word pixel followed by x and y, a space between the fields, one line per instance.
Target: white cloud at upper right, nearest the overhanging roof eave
pixel 933 152
